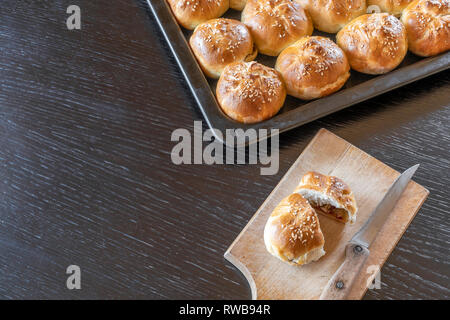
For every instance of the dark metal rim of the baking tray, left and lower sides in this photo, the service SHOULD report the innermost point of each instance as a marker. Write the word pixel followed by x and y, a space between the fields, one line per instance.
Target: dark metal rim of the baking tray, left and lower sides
pixel 308 112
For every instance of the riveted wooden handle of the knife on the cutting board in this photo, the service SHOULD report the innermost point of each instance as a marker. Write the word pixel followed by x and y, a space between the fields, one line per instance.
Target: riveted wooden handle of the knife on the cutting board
pixel 340 284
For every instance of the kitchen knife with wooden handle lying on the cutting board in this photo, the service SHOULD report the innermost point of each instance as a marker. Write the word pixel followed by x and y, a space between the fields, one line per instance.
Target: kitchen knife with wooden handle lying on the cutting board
pixel 357 250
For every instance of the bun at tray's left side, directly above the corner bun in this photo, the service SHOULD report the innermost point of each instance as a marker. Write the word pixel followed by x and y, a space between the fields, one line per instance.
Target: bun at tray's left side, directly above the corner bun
pixel 219 42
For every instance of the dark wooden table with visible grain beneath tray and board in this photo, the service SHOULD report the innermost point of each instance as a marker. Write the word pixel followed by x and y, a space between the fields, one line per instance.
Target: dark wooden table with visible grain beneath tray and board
pixel 86 177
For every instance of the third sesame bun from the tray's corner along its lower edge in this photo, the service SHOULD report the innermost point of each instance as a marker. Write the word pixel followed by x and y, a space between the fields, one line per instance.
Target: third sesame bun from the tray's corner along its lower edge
pixel 374 43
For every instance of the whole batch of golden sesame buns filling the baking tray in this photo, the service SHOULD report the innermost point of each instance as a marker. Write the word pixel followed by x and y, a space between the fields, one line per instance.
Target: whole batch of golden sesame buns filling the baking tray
pixel 307 67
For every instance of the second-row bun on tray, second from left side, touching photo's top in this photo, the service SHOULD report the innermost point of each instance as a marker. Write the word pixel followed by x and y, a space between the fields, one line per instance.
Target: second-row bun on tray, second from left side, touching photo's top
pixel 276 24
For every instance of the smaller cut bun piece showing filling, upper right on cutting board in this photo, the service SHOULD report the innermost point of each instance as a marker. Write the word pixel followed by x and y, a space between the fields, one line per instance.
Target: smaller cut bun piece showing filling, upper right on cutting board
pixel 329 195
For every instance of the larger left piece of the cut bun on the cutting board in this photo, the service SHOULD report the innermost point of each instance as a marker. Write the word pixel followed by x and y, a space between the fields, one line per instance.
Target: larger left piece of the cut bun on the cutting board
pixel 293 233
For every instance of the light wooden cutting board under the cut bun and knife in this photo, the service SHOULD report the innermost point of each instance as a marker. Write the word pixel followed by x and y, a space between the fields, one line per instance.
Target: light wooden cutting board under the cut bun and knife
pixel 270 278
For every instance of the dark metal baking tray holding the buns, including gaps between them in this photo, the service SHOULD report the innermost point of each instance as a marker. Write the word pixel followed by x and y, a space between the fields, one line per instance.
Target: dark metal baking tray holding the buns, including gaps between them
pixel 295 112
